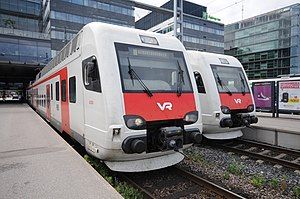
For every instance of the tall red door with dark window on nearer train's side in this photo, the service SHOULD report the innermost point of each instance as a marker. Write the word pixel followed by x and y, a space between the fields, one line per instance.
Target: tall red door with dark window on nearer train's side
pixel 65 118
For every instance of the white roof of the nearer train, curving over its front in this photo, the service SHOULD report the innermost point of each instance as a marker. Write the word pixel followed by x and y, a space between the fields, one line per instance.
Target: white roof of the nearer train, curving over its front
pixel 109 31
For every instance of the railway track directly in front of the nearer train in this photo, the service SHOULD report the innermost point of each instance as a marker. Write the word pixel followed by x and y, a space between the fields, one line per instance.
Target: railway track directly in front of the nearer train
pixel 175 182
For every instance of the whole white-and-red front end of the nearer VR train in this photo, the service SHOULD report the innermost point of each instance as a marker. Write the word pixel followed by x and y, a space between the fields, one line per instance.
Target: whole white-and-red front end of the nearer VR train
pixel 150 109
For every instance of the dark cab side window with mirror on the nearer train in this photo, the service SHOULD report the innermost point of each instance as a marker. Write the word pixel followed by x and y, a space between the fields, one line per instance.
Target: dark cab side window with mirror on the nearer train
pixel 90 72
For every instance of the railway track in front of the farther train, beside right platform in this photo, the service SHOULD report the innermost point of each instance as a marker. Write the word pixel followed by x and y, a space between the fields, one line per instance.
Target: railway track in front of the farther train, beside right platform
pixel 273 154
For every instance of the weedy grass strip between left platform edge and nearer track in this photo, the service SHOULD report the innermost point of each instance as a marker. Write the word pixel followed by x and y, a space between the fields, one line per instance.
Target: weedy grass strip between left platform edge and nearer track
pixel 127 191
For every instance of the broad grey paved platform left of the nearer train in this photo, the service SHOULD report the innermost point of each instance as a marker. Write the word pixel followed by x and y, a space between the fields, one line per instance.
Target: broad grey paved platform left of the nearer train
pixel 35 162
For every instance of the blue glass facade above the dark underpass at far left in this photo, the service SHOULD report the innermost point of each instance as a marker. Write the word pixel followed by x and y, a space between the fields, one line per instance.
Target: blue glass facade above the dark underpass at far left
pixel 21 39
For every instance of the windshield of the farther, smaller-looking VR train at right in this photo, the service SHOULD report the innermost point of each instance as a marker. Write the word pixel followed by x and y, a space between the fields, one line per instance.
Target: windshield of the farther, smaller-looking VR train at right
pixel 230 79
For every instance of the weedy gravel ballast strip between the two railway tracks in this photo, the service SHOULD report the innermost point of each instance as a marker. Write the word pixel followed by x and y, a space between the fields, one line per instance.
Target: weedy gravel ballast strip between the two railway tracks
pixel 243 175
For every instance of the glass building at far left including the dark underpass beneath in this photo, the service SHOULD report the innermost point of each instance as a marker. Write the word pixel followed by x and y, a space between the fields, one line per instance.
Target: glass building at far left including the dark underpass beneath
pixel 24 48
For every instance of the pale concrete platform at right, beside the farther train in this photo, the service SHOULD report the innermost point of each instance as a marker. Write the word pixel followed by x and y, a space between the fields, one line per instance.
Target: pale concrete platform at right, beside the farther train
pixel 283 131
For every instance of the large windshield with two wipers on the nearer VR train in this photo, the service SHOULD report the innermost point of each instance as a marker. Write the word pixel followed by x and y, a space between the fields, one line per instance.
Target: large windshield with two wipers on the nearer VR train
pixel 159 70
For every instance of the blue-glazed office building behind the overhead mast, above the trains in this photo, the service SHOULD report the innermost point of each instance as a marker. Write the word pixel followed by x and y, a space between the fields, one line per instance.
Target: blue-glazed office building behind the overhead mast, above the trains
pixel 198 32
